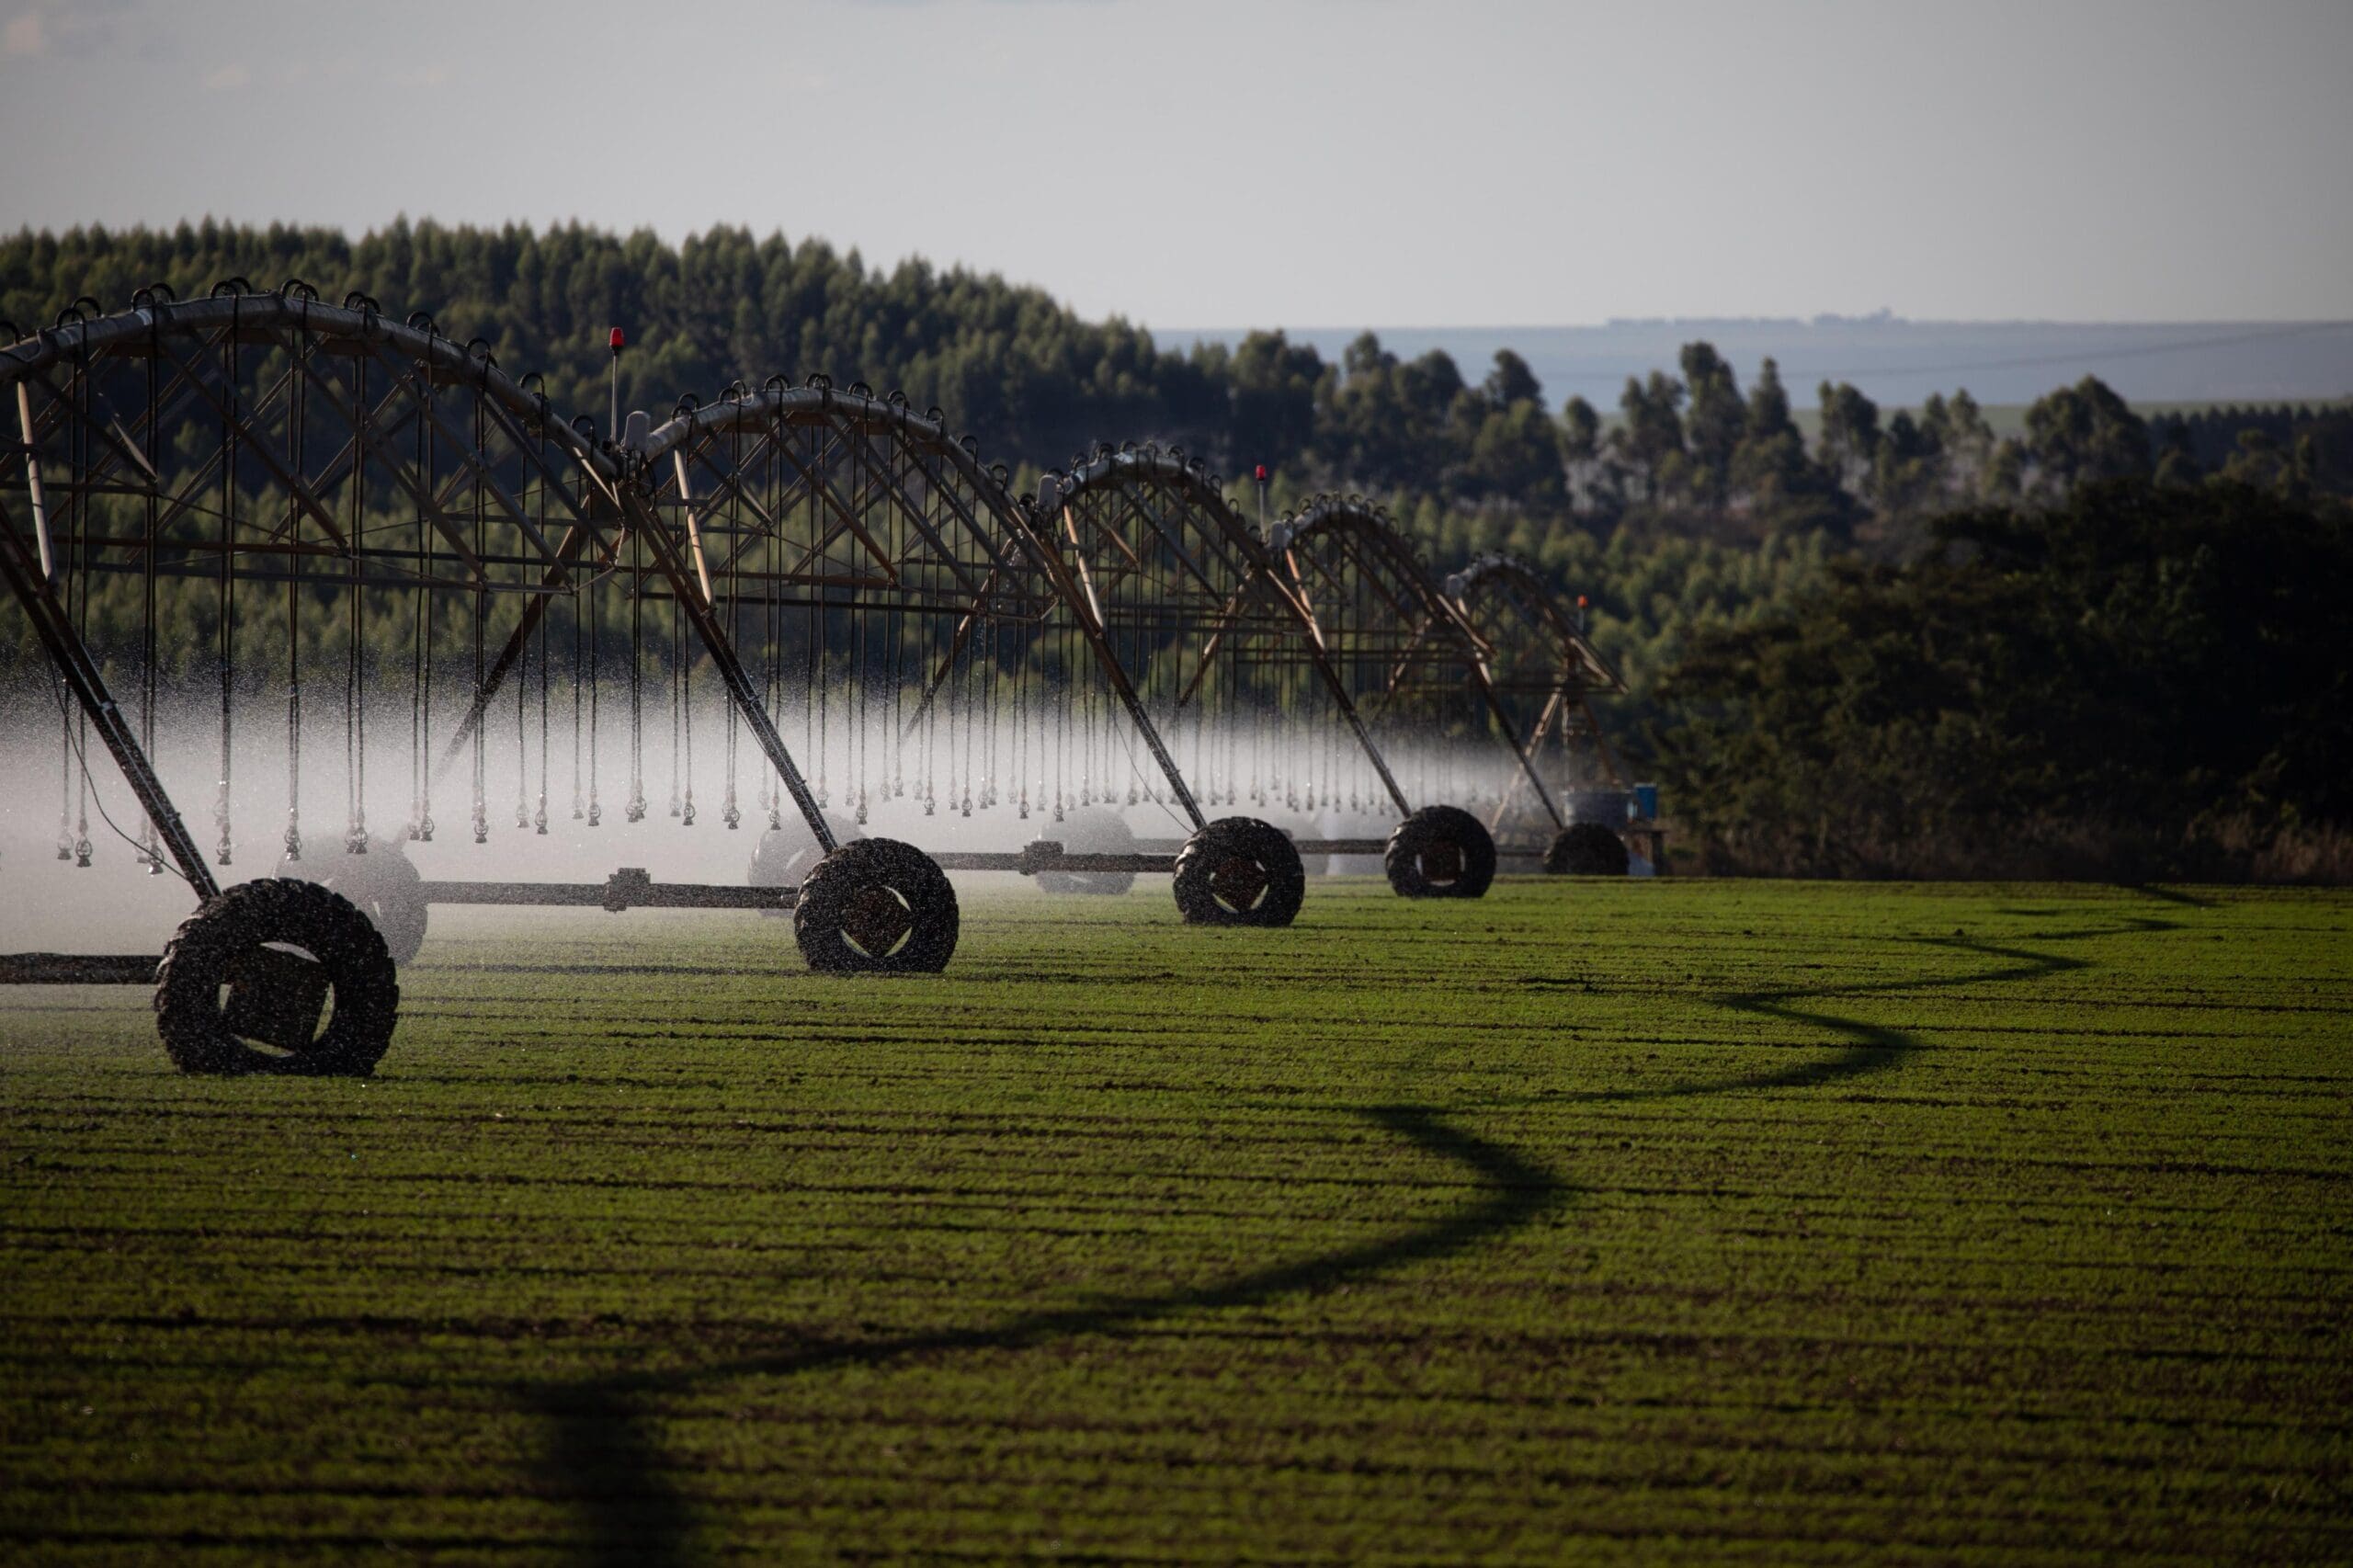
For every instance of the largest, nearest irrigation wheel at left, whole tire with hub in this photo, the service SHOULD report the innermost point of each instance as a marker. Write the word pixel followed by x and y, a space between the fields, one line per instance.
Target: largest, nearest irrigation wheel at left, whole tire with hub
pixel 248 978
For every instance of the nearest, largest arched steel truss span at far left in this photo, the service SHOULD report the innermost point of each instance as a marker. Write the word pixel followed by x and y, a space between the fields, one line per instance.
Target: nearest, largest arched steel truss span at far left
pixel 260 437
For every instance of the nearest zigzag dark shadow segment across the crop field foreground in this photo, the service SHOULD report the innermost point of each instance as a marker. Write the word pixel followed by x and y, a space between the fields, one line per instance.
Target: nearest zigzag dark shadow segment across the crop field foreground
pixel 606 1456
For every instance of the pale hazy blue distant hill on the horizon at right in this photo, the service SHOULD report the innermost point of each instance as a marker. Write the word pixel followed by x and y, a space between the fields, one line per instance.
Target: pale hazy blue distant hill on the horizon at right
pixel 1902 361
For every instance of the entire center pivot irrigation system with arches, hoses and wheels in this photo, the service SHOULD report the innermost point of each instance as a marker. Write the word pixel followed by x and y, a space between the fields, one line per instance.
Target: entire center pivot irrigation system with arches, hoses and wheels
pixel 415 533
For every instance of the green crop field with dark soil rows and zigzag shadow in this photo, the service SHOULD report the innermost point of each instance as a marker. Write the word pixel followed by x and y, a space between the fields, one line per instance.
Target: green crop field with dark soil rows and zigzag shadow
pixel 1594 1221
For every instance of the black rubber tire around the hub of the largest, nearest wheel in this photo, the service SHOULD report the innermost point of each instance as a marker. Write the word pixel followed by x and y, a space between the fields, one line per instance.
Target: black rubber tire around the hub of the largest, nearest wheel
pixel 324 924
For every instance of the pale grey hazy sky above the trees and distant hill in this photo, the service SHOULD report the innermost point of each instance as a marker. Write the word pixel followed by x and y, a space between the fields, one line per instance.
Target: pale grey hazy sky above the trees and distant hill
pixel 1272 164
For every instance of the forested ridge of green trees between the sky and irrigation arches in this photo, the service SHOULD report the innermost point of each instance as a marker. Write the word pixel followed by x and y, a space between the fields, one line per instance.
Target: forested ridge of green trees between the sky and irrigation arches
pixel 1686 451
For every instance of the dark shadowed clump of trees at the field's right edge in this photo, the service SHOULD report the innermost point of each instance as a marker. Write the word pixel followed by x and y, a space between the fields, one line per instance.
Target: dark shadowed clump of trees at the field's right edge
pixel 2135 682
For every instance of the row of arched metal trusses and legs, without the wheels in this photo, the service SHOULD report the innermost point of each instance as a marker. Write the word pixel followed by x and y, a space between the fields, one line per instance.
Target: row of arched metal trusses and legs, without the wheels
pixel 276 439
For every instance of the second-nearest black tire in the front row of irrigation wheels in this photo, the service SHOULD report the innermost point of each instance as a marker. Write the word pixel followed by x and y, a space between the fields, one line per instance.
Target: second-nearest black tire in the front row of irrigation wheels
pixel 876 908
